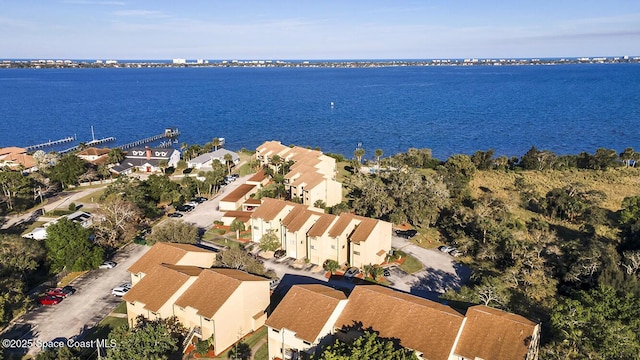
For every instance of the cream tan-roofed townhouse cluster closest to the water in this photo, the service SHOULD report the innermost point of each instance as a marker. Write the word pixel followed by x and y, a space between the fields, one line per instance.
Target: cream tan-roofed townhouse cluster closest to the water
pixel 312 176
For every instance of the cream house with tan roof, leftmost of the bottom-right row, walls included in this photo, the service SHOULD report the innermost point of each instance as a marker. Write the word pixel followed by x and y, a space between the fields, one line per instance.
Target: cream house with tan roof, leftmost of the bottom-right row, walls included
pixel 295 325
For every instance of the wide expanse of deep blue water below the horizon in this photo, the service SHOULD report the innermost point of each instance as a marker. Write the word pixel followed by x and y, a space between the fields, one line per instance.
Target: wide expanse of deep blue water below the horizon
pixel 564 108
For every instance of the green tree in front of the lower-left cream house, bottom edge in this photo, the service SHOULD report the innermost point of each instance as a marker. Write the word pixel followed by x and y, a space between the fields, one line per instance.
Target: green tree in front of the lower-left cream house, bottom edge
pixel 148 339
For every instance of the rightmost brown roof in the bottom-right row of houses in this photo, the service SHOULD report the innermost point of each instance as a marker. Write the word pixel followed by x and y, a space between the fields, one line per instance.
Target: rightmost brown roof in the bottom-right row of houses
pixel 494 334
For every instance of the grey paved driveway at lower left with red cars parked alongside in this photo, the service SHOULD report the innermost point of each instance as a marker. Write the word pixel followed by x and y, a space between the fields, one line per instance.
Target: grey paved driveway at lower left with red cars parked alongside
pixel 91 303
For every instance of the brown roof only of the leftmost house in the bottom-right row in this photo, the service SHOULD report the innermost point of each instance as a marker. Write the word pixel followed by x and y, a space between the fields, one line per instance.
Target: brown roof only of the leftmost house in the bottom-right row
pixel 305 310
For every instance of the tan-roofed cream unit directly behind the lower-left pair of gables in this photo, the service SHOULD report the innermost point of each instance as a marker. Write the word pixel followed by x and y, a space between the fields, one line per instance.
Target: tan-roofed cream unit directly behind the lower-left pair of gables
pixel 172 254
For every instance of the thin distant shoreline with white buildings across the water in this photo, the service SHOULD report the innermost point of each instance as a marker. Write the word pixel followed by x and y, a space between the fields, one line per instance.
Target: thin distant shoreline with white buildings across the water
pixel 182 63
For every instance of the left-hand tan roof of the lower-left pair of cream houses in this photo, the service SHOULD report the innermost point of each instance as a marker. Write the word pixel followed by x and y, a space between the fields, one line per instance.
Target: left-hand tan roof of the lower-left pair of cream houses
pixel 155 289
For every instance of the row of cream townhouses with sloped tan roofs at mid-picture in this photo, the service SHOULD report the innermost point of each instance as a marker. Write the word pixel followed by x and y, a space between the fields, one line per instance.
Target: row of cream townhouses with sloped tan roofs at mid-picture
pixel 306 233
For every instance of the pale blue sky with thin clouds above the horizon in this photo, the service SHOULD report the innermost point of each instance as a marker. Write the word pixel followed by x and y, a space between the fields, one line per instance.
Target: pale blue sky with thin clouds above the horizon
pixel 316 30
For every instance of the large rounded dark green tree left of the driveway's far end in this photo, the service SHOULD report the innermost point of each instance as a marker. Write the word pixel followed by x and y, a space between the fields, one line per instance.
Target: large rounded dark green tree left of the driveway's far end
pixel 68 247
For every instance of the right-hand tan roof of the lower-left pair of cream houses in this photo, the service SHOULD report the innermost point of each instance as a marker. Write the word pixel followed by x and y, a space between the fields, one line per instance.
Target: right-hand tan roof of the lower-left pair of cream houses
pixel 213 288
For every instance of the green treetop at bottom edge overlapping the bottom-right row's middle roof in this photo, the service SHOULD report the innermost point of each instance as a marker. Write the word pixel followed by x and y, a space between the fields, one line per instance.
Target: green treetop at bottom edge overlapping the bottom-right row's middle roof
pixel 367 346
